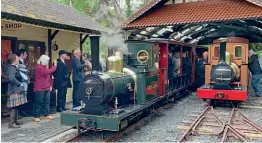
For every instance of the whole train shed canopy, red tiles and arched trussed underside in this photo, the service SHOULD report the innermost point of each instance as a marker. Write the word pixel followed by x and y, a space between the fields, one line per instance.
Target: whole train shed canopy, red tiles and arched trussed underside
pixel 198 22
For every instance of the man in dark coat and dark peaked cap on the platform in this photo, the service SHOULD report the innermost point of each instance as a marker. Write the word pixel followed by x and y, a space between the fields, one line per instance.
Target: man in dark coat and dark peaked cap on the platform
pixel 61 81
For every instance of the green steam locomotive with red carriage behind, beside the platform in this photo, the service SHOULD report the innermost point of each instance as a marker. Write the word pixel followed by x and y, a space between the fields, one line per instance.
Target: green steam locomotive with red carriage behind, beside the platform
pixel 132 87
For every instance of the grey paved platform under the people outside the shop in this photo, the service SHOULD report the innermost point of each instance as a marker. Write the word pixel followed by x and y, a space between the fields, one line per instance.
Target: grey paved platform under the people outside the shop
pixel 32 131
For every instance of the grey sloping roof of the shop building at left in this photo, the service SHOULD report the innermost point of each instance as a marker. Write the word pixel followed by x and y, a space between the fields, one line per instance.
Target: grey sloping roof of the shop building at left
pixel 49 14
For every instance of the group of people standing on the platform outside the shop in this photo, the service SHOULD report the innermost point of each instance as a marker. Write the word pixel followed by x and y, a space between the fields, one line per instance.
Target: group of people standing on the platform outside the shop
pixel 18 80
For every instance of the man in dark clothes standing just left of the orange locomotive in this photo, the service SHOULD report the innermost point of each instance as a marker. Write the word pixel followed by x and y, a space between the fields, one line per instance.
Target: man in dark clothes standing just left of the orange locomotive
pixel 200 70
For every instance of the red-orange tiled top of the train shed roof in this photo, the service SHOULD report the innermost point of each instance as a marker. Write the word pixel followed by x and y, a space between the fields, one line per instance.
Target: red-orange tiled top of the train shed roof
pixel 195 12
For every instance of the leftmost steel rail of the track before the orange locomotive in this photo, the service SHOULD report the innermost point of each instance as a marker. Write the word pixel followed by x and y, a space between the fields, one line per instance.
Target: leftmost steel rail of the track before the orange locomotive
pixel 194 124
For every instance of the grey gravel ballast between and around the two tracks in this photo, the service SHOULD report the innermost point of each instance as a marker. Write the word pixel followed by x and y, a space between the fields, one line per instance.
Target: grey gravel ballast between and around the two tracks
pixel 164 127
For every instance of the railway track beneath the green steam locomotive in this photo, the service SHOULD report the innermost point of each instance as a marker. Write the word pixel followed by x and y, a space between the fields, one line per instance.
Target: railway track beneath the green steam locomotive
pixel 114 136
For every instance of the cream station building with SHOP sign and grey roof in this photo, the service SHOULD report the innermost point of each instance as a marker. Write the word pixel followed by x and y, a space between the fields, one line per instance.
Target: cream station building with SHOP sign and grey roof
pixel 43 27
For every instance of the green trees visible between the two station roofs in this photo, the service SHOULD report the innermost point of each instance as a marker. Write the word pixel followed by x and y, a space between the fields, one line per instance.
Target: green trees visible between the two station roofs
pixel 110 13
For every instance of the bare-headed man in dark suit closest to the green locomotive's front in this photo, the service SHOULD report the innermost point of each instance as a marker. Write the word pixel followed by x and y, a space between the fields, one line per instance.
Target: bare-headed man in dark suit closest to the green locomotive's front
pixel 78 71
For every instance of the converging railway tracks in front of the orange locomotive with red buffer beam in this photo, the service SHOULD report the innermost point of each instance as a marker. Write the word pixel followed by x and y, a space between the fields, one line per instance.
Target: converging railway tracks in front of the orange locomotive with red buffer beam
pixel 210 122
